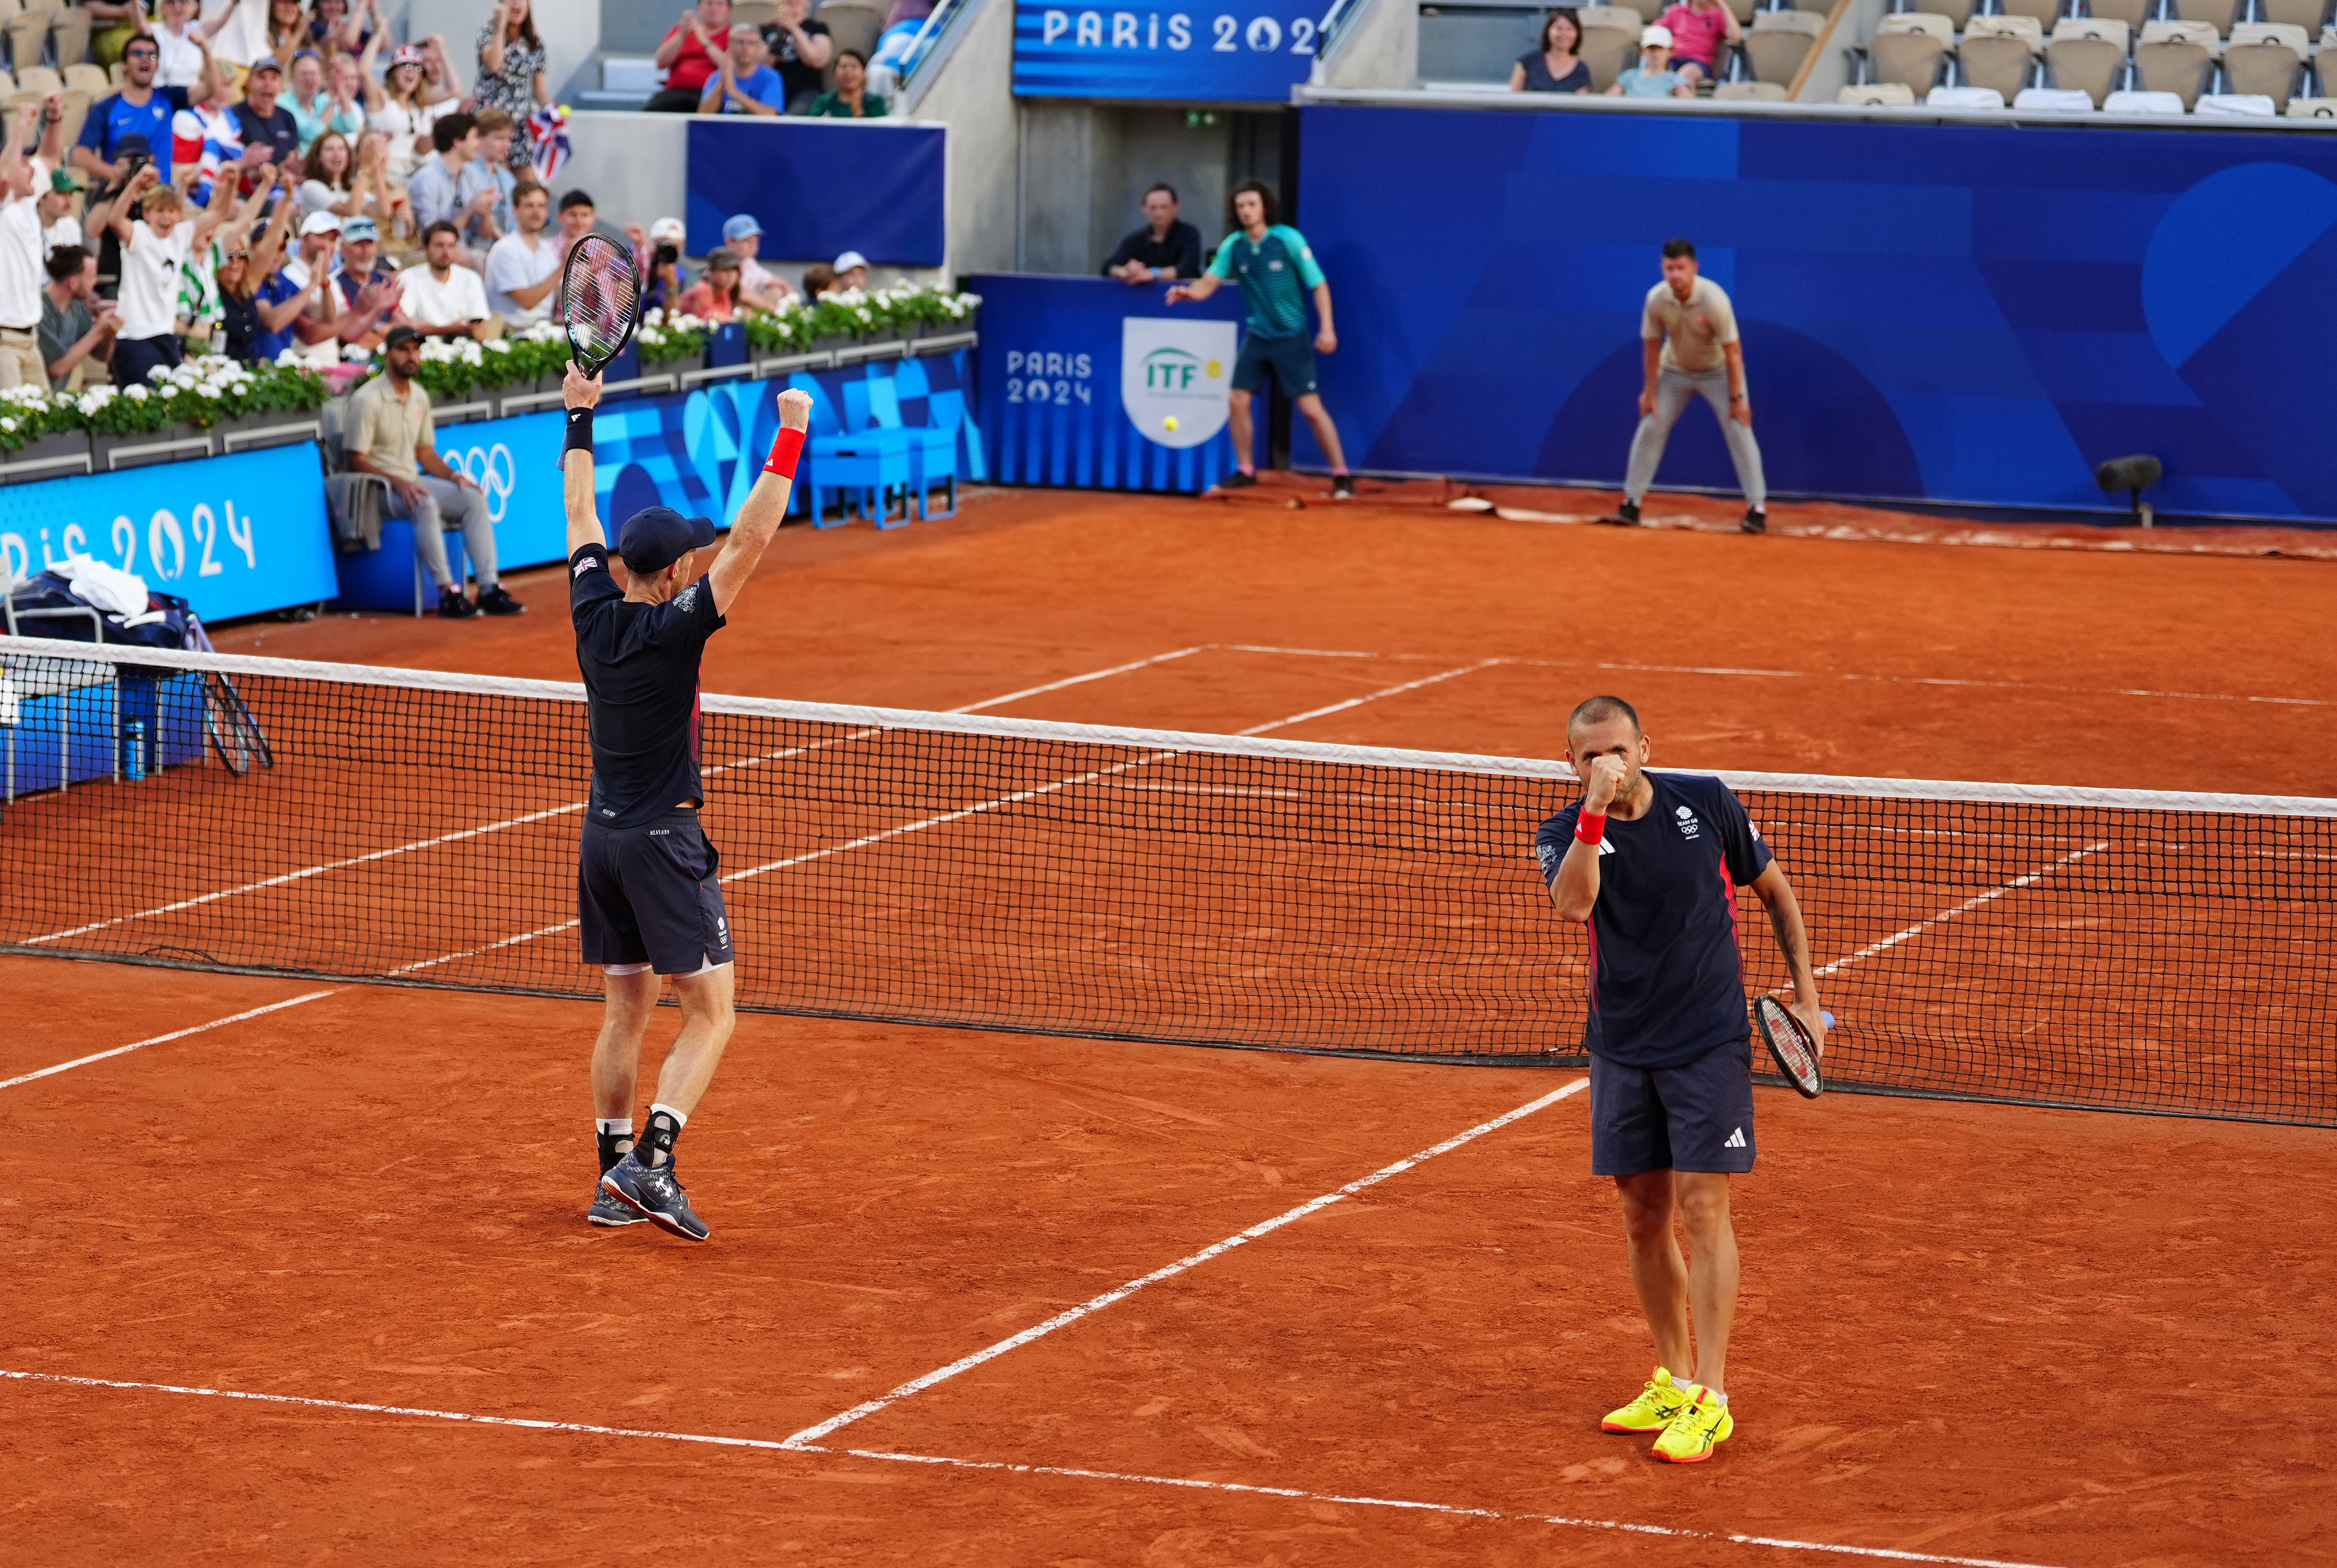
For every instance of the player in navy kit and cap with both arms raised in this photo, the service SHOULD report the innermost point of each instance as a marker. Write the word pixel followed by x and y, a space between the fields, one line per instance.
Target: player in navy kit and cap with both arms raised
pixel 649 896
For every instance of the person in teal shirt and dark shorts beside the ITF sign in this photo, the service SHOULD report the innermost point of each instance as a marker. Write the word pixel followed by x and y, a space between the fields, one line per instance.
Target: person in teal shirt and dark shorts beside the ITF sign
pixel 1277 272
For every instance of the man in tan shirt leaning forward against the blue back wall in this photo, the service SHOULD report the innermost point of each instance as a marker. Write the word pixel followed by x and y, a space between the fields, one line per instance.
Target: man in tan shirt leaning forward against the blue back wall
pixel 1693 352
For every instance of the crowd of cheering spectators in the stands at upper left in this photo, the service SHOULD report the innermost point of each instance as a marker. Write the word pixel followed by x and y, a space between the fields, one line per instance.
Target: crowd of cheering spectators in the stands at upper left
pixel 284 181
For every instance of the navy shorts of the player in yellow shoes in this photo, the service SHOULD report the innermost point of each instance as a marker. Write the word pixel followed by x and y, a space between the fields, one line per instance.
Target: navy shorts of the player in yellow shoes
pixel 1688 1118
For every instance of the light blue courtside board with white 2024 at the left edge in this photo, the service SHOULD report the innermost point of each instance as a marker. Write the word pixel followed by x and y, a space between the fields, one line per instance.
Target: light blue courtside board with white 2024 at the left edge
pixel 230 536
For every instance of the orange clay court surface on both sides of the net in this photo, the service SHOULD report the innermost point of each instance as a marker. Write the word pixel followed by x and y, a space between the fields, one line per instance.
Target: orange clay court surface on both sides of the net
pixel 1969 1331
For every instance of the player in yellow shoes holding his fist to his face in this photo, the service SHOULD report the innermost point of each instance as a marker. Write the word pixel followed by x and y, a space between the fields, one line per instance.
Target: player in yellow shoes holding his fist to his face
pixel 1651 863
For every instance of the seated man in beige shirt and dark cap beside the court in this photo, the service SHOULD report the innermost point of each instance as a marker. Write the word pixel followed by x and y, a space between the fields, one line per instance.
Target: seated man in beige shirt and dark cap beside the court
pixel 394 436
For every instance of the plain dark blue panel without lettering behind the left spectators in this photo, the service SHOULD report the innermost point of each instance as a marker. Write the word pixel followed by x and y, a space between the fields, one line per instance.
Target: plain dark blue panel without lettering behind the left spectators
pixel 821 188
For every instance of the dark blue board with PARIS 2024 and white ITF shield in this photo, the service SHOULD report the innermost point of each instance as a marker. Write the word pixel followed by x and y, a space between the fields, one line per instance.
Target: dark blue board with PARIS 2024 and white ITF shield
pixel 1095 384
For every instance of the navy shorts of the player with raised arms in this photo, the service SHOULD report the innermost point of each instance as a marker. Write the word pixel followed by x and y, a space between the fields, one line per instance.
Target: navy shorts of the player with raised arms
pixel 649 896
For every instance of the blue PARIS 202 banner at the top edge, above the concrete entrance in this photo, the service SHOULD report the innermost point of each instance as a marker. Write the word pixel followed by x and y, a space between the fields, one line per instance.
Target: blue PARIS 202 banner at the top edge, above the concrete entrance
pixel 1235 53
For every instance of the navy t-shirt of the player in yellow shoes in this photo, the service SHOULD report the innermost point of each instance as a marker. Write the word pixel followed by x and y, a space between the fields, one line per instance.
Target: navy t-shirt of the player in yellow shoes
pixel 1667 978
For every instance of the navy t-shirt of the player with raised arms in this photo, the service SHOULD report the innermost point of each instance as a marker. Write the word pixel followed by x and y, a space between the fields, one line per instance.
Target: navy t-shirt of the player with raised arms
pixel 642 679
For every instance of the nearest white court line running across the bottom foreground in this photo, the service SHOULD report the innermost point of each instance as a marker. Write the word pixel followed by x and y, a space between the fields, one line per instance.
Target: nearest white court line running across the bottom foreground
pixel 768 1445
